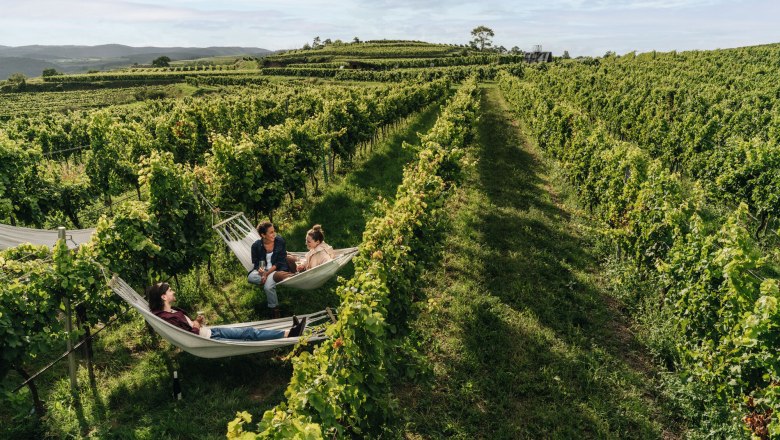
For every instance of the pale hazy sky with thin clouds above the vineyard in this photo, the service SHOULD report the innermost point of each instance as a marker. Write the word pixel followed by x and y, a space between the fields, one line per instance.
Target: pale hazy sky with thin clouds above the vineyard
pixel 583 27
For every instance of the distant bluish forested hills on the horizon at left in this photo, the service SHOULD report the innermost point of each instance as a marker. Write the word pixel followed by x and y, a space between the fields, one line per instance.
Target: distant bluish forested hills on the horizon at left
pixel 31 60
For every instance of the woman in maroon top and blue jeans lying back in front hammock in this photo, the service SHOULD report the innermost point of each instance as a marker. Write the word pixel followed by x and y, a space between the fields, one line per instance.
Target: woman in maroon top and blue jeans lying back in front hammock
pixel 161 298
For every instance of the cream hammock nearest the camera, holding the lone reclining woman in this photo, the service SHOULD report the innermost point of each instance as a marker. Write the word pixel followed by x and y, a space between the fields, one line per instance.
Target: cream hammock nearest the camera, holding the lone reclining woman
pixel 212 348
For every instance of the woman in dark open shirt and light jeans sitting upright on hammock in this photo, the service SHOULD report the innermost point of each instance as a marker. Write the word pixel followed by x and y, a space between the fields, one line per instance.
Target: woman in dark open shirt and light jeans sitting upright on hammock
pixel 270 263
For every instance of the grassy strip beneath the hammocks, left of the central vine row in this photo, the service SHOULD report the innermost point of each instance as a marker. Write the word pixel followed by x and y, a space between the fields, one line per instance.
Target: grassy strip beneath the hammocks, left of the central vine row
pixel 132 394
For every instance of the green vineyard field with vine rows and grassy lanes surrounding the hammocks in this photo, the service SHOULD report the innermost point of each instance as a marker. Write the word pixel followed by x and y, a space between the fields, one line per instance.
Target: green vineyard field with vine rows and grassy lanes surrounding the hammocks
pixel 580 249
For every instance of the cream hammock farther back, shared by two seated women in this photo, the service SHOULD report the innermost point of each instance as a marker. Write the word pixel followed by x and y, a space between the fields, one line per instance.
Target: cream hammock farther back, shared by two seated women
pixel 239 235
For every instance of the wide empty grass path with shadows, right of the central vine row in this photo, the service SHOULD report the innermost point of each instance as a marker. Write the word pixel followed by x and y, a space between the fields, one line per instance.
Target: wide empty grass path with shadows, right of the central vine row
pixel 522 338
